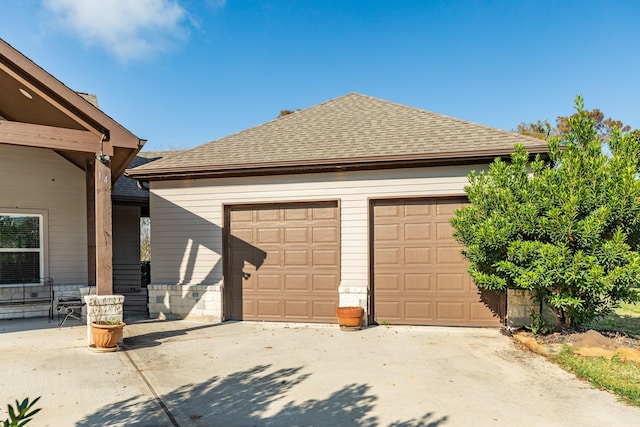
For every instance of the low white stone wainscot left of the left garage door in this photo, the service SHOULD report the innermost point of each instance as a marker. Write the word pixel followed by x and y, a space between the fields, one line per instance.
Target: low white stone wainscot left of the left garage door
pixel 192 302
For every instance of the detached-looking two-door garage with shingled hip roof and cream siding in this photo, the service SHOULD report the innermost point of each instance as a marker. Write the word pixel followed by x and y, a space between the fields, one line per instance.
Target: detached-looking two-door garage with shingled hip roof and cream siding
pixel 239 240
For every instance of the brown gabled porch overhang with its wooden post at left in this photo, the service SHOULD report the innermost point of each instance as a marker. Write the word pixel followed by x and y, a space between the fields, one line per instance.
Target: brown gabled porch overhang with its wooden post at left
pixel 37 110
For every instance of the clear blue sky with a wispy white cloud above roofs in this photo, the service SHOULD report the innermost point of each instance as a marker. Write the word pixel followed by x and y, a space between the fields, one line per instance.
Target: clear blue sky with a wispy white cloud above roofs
pixel 180 73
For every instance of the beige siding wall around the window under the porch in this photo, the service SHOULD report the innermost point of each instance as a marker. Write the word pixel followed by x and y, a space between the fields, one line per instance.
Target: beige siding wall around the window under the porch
pixel 42 181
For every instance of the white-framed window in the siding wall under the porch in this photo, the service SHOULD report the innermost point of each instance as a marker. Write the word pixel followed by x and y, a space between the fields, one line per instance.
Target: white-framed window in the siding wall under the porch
pixel 21 248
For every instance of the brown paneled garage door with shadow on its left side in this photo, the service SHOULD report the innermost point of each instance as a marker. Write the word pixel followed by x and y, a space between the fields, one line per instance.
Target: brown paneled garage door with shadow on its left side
pixel 283 262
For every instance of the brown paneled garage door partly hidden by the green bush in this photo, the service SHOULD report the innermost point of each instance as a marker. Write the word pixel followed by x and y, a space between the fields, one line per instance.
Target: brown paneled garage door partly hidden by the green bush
pixel 419 274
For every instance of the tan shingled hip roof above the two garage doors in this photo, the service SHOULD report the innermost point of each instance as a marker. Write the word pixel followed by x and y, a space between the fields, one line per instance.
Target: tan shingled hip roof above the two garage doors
pixel 352 131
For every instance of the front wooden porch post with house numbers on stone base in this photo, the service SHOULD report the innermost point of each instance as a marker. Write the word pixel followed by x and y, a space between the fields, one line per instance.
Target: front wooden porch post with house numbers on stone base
pixel 103 227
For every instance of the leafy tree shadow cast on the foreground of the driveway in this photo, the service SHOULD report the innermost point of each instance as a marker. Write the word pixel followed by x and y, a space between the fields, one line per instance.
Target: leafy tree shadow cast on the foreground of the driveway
pixel 244 398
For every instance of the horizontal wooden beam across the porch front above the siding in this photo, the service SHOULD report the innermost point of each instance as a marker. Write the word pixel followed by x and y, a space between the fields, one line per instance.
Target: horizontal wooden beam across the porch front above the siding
pixel 31 135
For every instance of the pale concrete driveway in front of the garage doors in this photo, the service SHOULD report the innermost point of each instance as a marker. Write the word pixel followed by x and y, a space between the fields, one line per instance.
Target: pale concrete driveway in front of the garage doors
pixel 181 373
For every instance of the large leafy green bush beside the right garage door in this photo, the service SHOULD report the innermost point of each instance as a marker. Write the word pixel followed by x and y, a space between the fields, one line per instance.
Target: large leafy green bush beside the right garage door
pixel 566 229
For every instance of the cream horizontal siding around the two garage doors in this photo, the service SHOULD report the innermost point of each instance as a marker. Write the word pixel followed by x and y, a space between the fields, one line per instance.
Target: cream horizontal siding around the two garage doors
pixel 187 216
